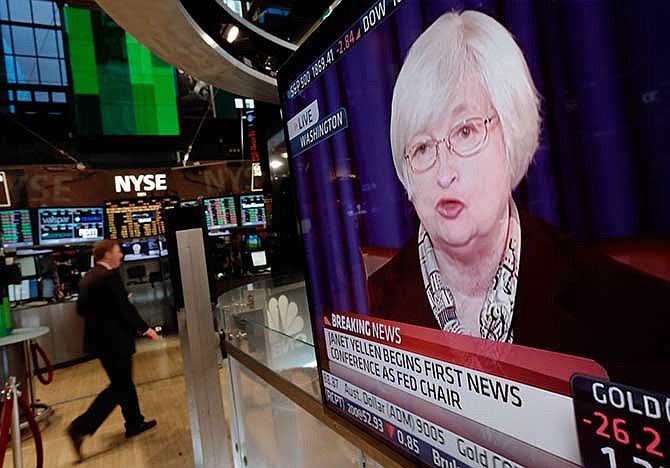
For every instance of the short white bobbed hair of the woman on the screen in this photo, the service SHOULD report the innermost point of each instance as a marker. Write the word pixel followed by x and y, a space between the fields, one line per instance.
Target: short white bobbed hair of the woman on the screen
pixel 455 46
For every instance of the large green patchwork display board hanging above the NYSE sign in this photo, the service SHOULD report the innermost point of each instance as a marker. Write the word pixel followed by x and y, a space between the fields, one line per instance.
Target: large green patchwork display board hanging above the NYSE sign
pixel 120 87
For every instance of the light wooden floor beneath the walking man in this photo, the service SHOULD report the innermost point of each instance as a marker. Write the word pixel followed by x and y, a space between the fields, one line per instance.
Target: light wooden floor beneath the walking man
pixel 159 378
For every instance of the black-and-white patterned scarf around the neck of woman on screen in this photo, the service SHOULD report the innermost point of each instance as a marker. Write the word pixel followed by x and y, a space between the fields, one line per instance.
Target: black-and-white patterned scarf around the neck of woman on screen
pixel 495 320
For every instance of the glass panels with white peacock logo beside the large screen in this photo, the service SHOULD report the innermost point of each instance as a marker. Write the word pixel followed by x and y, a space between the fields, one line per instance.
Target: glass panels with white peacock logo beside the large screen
pixel 268 321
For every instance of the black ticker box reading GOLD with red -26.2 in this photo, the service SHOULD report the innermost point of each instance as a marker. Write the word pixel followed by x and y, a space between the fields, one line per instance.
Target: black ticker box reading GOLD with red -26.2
pixel 621 426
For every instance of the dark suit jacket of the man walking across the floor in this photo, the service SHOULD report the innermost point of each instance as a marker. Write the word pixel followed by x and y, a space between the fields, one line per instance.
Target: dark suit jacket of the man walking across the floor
pixel 111 321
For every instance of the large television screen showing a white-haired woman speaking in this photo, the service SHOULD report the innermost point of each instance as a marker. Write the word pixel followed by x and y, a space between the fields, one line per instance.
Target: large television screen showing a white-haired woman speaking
pixel 439 157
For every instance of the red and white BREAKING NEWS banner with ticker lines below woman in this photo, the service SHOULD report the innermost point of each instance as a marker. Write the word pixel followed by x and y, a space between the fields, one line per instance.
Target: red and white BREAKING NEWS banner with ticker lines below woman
pixel 452 400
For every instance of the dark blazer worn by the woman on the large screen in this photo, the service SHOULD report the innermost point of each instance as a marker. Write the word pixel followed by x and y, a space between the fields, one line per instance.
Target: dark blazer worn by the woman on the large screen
pixel 570 299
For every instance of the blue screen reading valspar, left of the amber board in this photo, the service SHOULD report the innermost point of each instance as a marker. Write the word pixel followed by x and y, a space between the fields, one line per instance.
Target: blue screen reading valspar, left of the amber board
pixel 70 225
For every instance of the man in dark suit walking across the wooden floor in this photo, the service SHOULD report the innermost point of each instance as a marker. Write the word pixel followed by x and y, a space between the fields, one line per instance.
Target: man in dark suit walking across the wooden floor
pixel 111 326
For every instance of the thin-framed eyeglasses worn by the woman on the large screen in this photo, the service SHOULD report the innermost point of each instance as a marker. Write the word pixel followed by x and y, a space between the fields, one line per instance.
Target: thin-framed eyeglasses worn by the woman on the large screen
pixel 464 140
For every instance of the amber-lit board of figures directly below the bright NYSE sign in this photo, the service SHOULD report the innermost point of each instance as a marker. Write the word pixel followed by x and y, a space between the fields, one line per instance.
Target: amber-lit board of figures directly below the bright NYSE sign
pixel 135 218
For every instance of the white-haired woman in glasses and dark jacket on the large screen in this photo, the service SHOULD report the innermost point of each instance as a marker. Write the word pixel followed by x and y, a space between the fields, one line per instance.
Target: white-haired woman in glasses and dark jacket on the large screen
pixel 465 125
